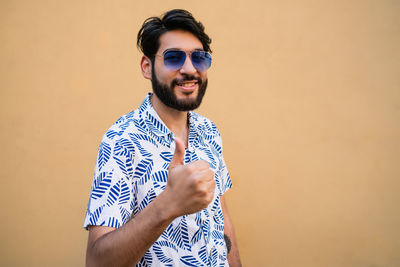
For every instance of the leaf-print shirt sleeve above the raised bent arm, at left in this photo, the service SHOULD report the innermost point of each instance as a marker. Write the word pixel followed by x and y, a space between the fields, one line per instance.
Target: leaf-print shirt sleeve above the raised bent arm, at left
pixel 111 200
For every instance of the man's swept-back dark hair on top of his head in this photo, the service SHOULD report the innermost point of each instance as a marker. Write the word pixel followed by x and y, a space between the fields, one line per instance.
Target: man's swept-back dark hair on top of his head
pixel 176 19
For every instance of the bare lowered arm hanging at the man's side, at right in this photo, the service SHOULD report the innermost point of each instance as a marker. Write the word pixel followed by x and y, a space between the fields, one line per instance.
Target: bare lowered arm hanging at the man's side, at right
pixel 233 255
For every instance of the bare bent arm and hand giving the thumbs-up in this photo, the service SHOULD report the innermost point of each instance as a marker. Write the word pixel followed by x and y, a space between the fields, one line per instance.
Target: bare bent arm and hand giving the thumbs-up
pixel 189 189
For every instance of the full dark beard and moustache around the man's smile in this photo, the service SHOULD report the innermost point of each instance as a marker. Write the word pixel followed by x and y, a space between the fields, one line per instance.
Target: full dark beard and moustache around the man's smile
pixel 167 96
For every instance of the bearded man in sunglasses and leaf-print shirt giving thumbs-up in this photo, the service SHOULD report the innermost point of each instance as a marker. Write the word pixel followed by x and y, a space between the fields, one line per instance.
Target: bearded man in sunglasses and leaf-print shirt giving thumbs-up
pixel 157 194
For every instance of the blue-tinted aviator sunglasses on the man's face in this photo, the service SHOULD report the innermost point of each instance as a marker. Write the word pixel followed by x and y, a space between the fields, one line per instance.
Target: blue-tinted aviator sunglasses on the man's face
pixel 174 59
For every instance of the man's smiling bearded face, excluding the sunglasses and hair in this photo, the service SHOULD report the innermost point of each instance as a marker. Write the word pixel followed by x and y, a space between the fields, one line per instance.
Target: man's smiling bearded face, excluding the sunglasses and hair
pixel 181 89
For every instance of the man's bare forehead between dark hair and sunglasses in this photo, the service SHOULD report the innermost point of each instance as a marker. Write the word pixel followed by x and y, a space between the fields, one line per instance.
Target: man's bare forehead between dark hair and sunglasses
pixel 178 39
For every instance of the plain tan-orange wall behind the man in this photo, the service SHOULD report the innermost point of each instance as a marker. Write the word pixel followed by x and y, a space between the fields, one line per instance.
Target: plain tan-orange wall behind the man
pixel 306 95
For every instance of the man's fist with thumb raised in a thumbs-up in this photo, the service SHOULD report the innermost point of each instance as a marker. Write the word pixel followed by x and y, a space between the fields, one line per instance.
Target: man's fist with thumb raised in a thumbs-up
pixel 190 187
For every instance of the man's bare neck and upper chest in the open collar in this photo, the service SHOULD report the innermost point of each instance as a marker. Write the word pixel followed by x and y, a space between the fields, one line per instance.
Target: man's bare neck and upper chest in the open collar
pixel 175 120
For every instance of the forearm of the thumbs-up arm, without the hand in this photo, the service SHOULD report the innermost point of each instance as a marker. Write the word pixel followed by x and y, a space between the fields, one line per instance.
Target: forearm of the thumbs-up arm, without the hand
pixel 126 245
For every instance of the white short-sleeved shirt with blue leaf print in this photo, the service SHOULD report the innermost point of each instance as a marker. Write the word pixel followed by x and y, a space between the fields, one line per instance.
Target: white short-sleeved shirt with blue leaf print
pixel 132 169
